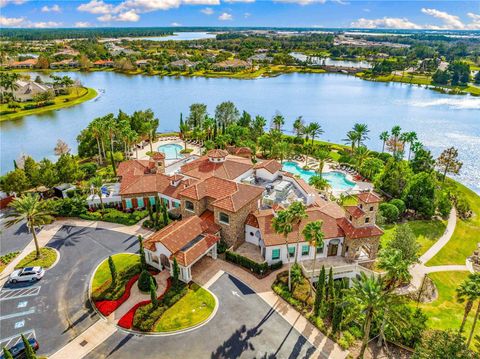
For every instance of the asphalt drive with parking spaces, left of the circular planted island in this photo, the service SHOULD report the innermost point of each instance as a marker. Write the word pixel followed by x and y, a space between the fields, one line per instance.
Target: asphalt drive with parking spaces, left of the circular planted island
pixel 56 308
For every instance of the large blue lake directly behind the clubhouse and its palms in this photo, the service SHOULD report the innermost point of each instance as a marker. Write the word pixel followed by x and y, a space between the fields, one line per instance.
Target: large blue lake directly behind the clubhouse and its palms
pixel 336 101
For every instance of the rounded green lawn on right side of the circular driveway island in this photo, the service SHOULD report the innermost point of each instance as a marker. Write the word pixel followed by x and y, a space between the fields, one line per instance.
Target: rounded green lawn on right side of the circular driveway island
pixel 195 307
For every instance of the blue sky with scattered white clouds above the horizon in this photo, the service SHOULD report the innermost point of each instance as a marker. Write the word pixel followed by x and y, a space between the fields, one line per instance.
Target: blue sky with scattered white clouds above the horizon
pixel 459 15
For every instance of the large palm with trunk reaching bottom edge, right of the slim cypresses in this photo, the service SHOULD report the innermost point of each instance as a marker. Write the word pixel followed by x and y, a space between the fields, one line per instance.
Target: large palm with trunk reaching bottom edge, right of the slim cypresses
pixel 369 297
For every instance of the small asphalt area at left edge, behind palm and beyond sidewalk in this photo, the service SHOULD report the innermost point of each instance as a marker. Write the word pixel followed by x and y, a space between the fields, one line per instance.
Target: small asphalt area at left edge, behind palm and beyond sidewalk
pixel 14 238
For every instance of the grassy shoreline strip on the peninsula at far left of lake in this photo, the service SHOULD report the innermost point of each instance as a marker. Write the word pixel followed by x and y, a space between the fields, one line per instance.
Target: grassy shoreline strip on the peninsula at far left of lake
pixel 84 94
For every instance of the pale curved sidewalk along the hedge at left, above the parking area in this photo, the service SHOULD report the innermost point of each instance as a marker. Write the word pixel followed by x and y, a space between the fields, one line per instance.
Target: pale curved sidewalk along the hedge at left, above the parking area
pixel 48 232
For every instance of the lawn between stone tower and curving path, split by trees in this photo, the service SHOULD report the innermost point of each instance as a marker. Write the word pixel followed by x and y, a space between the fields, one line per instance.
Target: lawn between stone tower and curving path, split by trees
pixel 427 232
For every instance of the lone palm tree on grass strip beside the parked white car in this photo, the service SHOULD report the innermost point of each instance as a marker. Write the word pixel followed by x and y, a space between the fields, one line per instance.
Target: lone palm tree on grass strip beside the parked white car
pixel 34 211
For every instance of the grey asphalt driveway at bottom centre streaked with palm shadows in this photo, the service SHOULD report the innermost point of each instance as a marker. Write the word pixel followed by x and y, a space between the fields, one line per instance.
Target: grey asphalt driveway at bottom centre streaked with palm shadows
pixel 244 327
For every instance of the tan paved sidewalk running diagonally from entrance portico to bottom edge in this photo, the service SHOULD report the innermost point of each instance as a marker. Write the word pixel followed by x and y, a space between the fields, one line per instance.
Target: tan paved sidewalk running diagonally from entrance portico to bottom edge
pixel 206 270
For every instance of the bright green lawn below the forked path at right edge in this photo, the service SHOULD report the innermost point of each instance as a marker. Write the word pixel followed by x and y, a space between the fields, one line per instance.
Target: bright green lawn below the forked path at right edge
pixel 446 312
